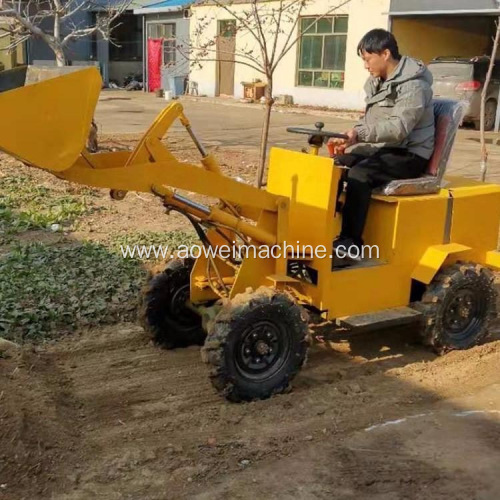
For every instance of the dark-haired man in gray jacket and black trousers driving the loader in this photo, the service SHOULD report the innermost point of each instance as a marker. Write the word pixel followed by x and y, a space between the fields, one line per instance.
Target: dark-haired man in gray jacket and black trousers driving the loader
pixel 395 138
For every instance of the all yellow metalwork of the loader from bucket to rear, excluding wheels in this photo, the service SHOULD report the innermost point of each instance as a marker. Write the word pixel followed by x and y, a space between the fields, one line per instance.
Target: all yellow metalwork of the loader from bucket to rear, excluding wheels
pixel 415 235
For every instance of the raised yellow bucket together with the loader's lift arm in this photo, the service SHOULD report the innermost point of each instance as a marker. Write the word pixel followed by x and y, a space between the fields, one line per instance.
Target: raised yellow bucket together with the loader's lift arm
pixel 61 126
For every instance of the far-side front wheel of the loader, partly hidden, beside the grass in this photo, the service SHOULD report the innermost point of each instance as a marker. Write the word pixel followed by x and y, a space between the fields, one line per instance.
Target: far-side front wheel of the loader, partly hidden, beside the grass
pixel 165 313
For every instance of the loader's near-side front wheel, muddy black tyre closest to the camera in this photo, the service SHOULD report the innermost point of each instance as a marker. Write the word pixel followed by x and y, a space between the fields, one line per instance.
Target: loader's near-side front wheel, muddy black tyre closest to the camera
pixel 256 345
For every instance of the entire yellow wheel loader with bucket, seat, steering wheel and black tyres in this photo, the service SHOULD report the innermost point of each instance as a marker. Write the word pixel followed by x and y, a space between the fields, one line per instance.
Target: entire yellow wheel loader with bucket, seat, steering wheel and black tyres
pixel 436 238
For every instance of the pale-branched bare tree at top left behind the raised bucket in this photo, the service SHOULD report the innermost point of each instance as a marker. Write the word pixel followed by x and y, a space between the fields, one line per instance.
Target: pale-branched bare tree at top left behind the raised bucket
pixel 53 21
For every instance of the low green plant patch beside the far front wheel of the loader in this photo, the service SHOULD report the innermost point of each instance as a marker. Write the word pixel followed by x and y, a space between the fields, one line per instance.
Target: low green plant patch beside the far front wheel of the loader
pixel 48 291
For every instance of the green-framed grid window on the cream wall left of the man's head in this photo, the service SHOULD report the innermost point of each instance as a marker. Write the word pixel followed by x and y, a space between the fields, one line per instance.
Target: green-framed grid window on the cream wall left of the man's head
pixel 322 52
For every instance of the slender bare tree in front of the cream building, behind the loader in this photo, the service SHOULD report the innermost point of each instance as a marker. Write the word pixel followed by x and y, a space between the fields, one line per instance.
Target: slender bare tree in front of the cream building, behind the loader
pixel 269 30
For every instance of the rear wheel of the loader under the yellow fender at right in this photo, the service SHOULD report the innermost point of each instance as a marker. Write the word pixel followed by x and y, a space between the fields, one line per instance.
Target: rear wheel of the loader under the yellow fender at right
pixel 458 307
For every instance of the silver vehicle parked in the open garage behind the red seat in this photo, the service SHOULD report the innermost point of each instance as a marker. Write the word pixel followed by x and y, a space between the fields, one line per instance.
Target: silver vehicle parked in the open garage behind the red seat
pixel 463 79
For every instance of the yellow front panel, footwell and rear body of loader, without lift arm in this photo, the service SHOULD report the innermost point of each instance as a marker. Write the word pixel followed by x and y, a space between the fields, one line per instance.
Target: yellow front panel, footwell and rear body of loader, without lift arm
pixel 415 235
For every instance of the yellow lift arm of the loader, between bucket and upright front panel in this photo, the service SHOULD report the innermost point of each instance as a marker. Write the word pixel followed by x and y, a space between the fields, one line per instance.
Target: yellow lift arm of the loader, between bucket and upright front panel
pixel 152 168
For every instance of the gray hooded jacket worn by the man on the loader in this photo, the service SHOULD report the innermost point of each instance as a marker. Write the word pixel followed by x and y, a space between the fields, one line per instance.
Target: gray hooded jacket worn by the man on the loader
pixel 399 111
